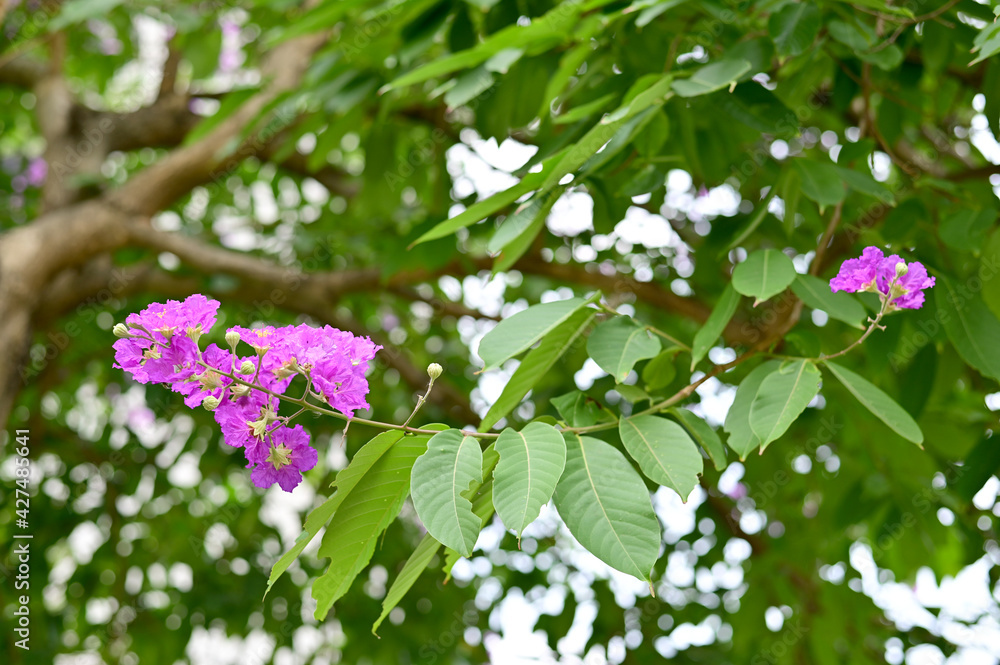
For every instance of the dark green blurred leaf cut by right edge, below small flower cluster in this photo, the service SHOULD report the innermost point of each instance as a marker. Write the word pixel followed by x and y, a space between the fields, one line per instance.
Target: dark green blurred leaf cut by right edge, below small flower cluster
pixel 972 328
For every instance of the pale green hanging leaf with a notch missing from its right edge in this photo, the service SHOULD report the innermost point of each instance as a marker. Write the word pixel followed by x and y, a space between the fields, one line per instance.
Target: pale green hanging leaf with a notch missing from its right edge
pixel 453 462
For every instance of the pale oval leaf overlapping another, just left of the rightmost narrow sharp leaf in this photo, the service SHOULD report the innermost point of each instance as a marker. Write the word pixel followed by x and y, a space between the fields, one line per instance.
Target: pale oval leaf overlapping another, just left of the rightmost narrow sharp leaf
pixel 782 397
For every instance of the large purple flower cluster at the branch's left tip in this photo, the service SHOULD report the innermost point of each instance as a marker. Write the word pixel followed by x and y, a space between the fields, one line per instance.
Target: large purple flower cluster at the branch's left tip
pixel 160 345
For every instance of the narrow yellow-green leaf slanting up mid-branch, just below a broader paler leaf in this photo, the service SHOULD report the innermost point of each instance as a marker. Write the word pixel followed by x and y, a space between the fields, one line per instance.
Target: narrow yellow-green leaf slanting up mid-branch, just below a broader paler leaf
pixel 536 364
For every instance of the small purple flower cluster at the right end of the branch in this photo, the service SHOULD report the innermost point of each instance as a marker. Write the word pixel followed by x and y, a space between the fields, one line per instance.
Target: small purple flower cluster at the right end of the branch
pixel 892 278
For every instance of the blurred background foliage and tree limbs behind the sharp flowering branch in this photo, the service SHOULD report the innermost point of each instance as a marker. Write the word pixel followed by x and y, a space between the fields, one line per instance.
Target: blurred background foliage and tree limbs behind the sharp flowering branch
pixel 340 132
